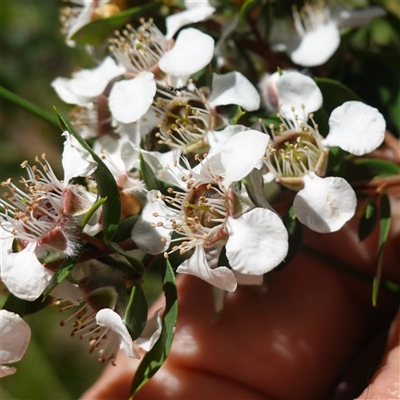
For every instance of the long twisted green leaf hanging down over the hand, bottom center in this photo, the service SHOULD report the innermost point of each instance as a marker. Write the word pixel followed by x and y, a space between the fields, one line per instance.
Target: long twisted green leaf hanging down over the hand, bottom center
pixel 155 358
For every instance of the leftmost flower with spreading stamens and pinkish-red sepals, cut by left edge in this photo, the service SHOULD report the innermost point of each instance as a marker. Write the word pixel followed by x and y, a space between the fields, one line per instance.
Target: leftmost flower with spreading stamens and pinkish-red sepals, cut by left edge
pixel 42 220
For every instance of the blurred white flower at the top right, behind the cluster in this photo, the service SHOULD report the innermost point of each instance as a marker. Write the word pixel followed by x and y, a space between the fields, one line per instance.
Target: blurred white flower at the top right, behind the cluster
pixel 317 32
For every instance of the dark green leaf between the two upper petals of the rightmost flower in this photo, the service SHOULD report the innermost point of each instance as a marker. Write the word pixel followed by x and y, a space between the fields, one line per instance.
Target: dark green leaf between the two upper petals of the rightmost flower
pixel 334 93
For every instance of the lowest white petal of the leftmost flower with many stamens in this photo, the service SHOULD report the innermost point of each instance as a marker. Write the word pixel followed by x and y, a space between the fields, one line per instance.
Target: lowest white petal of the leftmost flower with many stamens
pixel 23 274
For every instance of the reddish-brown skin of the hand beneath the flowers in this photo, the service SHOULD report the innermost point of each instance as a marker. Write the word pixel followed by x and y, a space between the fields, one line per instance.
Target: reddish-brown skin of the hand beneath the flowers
pixel 292 342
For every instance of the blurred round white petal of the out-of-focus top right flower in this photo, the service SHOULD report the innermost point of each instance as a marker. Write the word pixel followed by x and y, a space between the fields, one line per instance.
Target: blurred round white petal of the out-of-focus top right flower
pixel 315 47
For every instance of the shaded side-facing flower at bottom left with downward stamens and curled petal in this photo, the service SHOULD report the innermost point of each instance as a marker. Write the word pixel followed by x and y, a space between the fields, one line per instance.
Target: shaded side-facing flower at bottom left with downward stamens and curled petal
pixel 98 318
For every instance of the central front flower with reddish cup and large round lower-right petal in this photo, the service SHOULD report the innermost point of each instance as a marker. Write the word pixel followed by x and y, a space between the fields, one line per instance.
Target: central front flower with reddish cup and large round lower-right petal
pixel 207 213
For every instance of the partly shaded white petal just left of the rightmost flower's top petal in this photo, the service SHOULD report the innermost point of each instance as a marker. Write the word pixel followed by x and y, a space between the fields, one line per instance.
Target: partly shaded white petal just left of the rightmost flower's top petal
pixel 234 88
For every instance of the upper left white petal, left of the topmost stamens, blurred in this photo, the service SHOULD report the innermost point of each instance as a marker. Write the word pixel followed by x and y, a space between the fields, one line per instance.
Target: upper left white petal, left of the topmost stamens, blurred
pixel 92 83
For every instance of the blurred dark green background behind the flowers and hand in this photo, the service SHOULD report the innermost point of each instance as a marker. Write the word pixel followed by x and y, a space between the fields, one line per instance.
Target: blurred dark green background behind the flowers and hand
pixel 57 367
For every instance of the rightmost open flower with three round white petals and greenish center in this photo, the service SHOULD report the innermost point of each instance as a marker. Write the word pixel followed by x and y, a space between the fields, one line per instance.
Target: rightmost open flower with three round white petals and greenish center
pixel 297 156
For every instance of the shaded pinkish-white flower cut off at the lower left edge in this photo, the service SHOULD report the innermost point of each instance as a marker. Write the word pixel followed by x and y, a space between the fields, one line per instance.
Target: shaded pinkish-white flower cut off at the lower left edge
pixel 15 335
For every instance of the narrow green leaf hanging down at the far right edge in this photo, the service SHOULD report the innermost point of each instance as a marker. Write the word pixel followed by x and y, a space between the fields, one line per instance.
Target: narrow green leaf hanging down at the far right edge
pixel 384 228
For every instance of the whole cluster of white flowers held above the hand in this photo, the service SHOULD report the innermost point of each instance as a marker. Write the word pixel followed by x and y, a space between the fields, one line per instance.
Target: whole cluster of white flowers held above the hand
pixel 178 152
